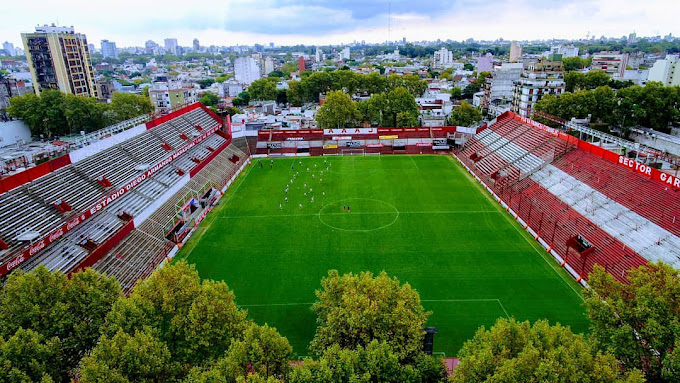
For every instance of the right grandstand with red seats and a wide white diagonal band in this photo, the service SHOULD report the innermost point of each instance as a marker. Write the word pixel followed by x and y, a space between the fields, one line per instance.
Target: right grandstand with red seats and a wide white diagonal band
pixel 585 204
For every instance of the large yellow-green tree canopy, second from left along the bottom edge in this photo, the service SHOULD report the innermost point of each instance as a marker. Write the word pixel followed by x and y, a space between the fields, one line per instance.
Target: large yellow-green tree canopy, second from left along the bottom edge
pixel 183 321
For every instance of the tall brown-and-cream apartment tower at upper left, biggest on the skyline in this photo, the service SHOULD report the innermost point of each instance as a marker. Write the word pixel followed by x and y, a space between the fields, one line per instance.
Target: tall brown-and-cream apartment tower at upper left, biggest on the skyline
pixel 59 58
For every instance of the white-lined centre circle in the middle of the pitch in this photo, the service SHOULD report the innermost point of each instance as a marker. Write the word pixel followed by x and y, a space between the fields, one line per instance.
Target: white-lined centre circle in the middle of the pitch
pixel 358 214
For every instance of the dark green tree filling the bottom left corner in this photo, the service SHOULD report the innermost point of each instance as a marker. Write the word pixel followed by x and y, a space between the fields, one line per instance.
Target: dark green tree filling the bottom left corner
pixel 59 317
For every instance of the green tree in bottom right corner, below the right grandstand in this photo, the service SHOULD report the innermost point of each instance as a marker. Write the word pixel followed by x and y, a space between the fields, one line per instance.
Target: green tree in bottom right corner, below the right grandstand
pixel 638 322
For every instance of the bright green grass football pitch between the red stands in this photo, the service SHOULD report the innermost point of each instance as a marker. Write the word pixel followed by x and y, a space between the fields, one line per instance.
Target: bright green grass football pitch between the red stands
pixel 422 219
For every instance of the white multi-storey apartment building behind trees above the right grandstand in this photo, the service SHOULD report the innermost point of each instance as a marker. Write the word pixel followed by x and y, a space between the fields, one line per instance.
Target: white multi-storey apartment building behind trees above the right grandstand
pixel 540 78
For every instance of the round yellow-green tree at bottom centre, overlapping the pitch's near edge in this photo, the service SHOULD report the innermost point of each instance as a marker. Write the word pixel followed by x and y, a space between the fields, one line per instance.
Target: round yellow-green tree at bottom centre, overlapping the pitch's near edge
pixel 354 309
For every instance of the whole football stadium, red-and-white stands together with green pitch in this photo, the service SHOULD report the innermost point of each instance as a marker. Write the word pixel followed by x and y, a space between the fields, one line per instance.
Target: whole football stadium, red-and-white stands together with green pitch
pixel 502 221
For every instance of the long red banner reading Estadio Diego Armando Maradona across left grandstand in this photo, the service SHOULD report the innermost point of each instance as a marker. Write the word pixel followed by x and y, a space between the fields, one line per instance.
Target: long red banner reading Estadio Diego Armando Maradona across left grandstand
pixel 96 207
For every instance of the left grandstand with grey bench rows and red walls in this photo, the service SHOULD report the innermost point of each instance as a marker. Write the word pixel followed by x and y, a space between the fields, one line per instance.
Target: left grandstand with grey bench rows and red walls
pixel 76 210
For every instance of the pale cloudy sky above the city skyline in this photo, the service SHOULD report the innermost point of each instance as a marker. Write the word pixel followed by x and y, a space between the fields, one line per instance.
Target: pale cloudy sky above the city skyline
pixel 285 22
